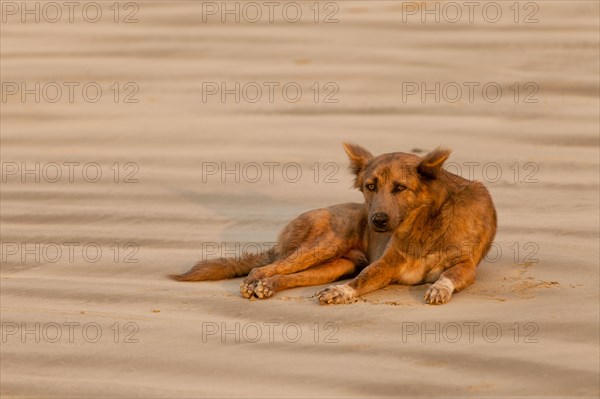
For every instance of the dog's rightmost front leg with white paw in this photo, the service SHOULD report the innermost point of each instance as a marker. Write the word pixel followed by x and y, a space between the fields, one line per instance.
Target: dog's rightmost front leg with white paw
pixel 453 279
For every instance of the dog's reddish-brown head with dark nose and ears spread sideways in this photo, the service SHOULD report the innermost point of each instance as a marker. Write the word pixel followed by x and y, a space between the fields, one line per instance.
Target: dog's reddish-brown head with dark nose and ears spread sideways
pixel 395 185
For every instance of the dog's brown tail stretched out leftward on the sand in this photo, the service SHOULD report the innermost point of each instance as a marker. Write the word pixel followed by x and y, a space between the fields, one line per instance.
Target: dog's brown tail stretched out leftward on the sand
pixel 223 268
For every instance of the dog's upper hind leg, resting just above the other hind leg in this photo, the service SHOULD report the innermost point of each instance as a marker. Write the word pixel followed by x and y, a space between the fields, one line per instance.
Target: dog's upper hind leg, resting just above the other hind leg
pixel 301 259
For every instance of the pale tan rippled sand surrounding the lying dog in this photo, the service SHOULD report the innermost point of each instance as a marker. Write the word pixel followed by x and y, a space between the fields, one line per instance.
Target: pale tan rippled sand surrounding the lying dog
pixel 529 325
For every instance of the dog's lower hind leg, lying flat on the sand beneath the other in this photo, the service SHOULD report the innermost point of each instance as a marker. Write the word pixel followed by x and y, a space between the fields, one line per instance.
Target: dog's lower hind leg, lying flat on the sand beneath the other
pixel 328 272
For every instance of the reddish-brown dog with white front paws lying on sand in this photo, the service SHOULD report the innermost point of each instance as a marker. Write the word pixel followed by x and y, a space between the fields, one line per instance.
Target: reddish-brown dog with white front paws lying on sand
pixel 419 224
